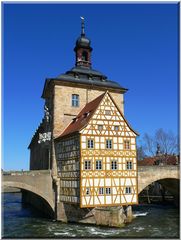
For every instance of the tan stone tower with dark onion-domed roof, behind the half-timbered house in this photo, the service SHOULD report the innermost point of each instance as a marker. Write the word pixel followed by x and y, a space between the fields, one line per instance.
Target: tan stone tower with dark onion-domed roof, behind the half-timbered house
pixel 65 95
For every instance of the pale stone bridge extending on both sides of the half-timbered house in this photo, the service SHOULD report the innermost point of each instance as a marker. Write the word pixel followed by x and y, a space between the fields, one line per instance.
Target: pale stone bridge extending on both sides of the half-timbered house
pixel 40 183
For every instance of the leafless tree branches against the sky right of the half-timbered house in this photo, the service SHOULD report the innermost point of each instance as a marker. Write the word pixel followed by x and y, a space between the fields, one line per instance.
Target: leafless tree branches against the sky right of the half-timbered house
pixel 167 141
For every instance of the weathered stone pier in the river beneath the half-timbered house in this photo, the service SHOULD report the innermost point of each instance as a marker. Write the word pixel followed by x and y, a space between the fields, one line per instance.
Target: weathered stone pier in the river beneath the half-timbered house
pixel 104 216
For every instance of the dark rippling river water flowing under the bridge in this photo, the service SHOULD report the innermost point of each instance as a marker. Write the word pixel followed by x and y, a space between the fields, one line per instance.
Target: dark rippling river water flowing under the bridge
pixel 23 221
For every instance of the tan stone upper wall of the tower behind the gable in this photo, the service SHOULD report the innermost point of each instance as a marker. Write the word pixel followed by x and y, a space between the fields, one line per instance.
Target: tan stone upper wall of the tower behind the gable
pixel 63 110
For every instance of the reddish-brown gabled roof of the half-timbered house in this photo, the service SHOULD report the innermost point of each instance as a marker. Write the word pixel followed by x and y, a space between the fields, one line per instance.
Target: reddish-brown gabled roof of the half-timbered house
pixel 82 119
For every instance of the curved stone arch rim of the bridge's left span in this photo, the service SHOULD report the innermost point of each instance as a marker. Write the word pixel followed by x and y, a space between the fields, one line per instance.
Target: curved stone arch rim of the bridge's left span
pixel 31 189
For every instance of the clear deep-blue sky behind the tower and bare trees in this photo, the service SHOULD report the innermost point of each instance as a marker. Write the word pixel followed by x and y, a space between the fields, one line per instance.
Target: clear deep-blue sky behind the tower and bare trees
pixel 133 44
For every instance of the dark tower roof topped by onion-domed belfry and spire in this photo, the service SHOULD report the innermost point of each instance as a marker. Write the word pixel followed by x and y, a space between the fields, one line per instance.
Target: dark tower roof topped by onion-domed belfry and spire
pixel 83 73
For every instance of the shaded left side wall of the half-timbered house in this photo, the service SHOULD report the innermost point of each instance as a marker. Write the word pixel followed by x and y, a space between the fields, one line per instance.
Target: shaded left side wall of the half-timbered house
pixel 68 159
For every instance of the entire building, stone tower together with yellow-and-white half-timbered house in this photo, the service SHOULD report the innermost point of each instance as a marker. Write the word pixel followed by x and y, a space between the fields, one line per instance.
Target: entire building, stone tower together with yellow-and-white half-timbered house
pixel 84 138
